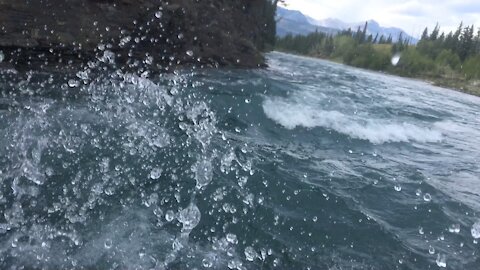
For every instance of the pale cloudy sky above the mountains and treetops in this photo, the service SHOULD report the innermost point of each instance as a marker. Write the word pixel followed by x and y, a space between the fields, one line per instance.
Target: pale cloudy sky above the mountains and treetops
pixel 410 15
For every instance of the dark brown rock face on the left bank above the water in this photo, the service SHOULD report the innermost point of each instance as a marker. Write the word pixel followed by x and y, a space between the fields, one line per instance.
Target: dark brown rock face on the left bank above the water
pixel 56 33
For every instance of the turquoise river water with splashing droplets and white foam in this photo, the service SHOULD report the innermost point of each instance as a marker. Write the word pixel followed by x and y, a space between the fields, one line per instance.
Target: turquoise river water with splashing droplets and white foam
pixel 304 165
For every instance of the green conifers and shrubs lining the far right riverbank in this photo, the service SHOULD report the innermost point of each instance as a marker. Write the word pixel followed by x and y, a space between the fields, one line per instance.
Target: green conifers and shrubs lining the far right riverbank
pixel 453 55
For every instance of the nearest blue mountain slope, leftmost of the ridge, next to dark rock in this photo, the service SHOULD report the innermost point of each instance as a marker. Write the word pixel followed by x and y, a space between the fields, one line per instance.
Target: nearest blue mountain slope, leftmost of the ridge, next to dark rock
pixel 296 23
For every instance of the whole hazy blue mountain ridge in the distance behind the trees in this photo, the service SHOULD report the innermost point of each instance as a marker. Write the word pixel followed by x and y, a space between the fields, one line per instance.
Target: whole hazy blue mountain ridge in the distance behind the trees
pixel 296 23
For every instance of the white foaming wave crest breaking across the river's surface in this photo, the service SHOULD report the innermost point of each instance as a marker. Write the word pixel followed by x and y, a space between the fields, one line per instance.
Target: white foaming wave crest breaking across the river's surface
pixel 296 115
